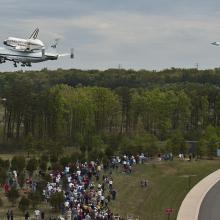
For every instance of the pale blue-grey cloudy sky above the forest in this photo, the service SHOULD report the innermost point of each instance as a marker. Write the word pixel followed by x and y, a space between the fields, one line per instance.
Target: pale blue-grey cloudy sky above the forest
pixel 140 34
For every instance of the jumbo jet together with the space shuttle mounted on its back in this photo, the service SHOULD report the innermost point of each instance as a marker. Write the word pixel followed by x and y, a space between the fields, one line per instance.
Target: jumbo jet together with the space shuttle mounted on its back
pixel 28 51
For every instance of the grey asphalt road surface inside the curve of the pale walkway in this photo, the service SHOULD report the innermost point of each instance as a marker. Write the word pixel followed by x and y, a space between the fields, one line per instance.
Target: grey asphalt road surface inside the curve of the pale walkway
pixel 210 207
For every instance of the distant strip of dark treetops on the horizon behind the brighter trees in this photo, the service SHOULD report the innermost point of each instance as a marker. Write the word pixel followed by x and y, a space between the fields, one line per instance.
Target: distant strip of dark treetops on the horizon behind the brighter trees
pixel 114 78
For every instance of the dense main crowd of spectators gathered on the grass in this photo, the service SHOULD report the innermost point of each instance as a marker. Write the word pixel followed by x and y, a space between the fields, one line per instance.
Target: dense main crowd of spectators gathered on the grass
pixel 88 190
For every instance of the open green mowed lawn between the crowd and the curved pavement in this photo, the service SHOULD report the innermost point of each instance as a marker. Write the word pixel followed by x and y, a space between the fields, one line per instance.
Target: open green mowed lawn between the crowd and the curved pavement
pixel 168 186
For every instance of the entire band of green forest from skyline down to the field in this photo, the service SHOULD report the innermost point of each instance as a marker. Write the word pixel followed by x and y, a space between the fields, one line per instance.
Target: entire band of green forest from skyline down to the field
pixel 109 110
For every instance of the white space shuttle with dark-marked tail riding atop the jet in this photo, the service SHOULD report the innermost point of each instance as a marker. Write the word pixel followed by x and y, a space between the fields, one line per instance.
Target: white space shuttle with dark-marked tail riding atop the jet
pixel 31 44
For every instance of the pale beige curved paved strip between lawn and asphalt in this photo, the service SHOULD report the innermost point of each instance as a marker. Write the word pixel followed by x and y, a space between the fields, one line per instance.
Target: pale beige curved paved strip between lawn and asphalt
pixel 189 209
